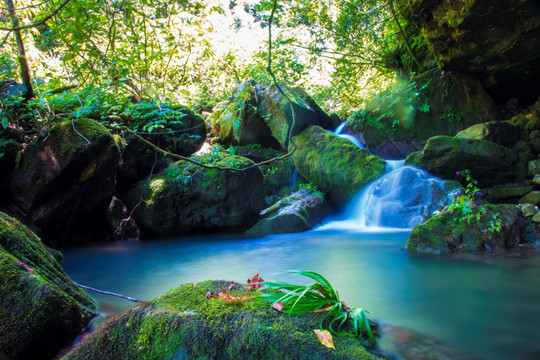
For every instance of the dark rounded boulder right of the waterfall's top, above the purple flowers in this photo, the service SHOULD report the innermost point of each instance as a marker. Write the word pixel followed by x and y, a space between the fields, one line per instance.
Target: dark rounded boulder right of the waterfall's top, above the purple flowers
pixel 488 163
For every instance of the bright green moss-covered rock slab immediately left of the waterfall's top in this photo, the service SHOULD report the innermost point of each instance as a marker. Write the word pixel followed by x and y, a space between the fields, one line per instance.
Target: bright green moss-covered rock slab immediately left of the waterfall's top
pixel 338 167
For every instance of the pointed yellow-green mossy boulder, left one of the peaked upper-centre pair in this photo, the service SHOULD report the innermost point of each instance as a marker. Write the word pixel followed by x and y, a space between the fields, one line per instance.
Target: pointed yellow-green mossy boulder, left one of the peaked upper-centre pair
pixel 239 121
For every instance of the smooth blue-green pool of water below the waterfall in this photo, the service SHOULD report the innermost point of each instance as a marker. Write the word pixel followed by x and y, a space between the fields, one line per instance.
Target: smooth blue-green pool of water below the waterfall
pixel 487 304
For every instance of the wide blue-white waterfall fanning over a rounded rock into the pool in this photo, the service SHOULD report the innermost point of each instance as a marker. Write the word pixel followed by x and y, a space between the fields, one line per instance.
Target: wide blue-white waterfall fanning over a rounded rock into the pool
pixel 403 198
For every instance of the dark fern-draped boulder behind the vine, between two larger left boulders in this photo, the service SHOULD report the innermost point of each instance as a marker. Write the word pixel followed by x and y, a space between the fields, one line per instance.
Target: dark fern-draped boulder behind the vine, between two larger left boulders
pixel 182 135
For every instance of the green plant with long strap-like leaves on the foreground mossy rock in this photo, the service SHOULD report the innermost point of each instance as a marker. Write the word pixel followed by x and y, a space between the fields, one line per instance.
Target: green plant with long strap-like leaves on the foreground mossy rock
pixel 319 296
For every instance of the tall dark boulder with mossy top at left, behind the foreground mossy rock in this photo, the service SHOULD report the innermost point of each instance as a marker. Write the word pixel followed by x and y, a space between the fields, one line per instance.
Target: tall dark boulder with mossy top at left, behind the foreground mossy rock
pixel 66 175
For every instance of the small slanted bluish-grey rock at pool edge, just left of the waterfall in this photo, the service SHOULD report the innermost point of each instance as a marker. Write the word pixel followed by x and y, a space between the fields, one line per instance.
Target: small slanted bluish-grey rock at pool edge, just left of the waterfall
pixel 298 212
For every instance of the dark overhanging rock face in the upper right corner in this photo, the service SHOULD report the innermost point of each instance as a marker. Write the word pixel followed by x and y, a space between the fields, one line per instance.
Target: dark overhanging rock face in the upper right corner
pixel 499 43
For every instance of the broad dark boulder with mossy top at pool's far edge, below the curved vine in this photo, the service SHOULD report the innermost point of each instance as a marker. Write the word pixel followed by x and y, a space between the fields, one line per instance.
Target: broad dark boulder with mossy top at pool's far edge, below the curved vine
pixel 186 197
